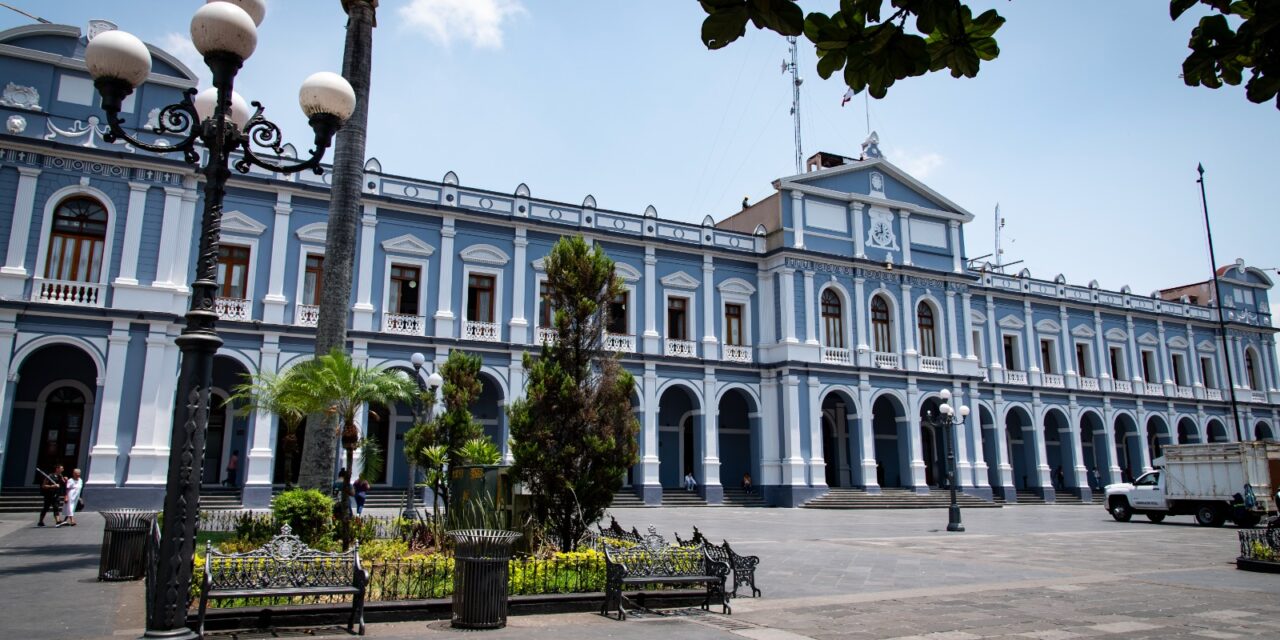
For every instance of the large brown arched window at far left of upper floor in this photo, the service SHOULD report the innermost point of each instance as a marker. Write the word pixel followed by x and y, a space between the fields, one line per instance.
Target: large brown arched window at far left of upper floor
pixel 77 241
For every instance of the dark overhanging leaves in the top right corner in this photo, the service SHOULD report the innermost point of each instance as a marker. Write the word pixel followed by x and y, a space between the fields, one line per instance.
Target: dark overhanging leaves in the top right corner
pixel 1222 54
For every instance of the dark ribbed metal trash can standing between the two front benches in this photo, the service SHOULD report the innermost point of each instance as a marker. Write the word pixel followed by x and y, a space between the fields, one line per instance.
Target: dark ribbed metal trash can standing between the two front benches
pixel 481 572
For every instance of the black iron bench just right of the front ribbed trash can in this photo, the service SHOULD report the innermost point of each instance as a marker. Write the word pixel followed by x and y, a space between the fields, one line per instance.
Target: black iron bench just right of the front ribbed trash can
pixel 655 563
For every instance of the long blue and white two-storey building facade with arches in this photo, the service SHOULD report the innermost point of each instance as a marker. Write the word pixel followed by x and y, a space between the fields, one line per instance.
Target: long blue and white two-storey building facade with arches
pixel 799 341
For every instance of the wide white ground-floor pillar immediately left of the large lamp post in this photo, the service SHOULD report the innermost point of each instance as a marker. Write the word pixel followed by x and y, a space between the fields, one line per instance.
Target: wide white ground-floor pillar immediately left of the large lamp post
pixel 149 459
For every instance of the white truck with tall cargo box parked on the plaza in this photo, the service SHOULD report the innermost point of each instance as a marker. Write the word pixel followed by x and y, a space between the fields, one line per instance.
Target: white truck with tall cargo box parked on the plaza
pixel 1203 481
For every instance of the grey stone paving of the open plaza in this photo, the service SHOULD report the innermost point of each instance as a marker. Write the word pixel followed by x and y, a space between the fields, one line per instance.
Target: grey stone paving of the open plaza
pixel 1020 573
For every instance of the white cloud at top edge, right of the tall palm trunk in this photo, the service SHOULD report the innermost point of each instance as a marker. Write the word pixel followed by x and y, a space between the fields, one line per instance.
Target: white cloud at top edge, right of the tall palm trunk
pixel 479 22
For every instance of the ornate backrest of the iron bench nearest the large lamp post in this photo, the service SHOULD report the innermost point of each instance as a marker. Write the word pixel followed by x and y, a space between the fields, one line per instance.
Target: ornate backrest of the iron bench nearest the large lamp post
pixel 285 563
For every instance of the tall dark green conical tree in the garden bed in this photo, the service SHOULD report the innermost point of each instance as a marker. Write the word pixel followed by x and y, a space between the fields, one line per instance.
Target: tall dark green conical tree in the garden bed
pixel 574 435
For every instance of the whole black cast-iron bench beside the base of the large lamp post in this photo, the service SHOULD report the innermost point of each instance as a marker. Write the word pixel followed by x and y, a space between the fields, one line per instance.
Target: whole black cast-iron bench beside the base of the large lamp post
pixel 285 568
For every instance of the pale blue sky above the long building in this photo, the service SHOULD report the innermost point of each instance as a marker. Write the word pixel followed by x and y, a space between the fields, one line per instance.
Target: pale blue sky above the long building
pixel 1081 131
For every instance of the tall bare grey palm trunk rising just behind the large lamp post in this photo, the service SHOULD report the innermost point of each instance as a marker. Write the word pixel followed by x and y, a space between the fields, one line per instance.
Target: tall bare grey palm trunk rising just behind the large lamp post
pixel 349 172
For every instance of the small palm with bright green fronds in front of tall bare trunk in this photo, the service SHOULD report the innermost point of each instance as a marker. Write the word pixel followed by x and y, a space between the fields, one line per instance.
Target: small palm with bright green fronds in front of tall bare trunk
pixel 339 388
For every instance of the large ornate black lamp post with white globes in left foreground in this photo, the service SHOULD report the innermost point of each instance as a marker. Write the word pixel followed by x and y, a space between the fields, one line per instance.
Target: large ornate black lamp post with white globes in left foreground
pixel 226 34
